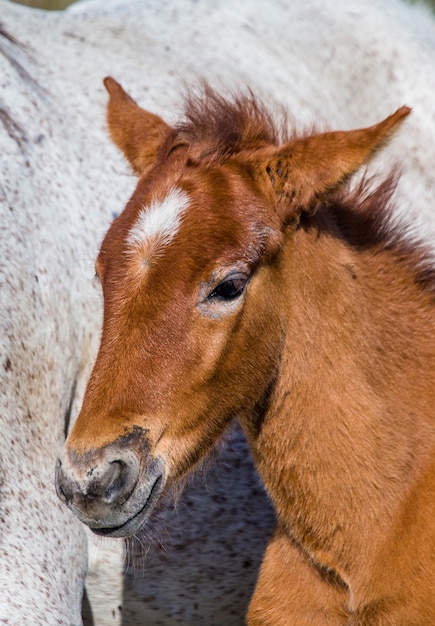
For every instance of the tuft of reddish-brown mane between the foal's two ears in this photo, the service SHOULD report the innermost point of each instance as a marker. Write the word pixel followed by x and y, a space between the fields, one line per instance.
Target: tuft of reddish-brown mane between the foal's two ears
pixel 220 127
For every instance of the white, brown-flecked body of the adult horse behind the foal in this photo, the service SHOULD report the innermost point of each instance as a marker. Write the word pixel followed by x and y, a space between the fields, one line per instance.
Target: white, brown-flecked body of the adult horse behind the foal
pixel 336 64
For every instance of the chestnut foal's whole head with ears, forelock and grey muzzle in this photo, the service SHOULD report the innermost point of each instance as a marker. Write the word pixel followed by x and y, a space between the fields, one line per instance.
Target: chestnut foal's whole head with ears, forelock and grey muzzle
pixel 191 274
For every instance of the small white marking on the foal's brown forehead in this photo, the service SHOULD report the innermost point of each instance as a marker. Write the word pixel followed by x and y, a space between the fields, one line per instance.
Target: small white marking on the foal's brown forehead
pixel 157 224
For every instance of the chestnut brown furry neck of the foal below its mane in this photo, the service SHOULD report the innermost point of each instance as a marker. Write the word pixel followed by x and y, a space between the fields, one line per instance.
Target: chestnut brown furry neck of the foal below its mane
pixel 349 427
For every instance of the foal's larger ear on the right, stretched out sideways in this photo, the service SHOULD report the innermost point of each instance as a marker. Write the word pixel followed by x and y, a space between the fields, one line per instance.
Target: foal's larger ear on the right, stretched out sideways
pixel 305 170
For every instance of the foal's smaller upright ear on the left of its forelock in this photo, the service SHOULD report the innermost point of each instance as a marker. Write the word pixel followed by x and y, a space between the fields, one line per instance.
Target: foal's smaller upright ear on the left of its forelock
pixel 138 133
